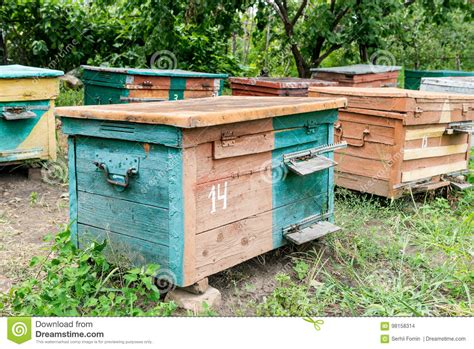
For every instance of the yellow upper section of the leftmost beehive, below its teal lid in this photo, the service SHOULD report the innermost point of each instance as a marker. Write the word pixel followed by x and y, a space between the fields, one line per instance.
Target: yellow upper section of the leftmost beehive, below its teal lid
pixel 28 89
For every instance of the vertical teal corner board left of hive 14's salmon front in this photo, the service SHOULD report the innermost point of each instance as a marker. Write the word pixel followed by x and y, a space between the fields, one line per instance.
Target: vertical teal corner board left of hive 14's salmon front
pixel 176 213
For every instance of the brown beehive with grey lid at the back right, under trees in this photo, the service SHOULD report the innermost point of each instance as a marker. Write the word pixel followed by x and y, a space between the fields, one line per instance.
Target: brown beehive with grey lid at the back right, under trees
pixel 359 75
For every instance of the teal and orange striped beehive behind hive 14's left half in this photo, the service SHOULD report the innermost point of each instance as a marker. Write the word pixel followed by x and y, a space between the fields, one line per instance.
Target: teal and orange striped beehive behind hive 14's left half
pixel 127 85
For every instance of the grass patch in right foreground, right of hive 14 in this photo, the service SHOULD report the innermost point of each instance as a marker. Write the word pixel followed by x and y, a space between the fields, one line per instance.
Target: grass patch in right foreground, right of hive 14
pixel 390 259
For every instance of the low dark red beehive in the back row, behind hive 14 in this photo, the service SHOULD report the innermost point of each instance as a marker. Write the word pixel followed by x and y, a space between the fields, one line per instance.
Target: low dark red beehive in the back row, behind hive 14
pixel 264 86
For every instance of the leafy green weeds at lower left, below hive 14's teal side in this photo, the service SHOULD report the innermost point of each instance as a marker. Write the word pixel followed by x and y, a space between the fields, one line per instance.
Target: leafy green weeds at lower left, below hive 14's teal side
pixel 73 282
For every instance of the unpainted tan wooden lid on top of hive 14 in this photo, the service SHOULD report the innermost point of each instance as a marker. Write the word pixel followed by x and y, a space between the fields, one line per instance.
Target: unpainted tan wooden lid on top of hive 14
pixel 203 112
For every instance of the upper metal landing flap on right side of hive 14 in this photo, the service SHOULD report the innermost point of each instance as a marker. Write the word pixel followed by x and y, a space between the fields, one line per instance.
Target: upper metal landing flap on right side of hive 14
pixel 309 161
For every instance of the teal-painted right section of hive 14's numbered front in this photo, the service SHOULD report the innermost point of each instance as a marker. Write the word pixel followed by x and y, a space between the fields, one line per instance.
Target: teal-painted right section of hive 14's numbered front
pixel 297 197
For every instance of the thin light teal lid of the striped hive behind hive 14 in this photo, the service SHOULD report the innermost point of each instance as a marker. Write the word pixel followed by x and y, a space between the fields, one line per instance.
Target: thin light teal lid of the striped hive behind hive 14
pixel 156 72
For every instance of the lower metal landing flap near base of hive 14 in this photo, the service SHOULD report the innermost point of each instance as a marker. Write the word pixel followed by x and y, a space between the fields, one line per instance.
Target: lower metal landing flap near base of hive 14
pixel 309 229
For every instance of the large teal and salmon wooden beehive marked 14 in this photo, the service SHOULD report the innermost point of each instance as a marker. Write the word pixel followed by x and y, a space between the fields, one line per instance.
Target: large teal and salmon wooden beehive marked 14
pixel 200 185
